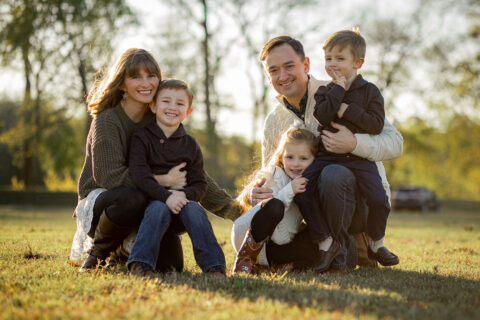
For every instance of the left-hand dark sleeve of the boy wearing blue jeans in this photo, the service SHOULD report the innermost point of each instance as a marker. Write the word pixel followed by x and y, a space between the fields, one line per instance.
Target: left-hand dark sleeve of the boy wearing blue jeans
pixel 141 172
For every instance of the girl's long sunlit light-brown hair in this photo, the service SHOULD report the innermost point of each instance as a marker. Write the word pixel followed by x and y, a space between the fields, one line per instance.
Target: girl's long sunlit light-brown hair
pixel 292 135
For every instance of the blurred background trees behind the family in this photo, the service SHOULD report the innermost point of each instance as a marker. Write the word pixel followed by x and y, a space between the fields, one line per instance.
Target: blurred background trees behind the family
pixel 425 59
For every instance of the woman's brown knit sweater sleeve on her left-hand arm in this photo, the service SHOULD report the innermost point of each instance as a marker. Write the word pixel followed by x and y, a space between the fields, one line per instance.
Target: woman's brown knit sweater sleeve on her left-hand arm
pixel 109 156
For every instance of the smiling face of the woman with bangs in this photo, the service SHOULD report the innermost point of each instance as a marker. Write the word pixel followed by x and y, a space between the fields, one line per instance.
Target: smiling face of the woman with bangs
pixel 140 88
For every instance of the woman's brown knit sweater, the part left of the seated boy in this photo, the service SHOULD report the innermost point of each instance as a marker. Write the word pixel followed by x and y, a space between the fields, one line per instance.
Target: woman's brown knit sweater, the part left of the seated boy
pixel 106 155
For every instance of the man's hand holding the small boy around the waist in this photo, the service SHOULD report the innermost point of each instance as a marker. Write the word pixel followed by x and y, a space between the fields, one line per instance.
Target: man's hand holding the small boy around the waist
pixel 340 142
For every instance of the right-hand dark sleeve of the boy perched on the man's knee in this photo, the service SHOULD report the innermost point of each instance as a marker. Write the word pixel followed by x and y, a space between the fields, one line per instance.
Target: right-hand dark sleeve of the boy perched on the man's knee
pixel 368 118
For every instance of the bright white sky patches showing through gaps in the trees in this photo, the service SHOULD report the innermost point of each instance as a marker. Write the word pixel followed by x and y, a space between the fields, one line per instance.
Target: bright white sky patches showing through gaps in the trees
pixel 232 81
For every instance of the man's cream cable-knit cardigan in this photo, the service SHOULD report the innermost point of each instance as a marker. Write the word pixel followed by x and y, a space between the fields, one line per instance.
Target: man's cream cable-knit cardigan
pixel 385 146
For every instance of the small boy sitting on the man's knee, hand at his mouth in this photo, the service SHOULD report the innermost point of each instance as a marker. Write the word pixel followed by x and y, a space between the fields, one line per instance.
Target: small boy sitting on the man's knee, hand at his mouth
pixel 351 101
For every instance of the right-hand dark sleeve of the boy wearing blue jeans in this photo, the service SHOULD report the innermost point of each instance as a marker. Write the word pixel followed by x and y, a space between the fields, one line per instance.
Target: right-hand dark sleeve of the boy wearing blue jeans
pixel 196 180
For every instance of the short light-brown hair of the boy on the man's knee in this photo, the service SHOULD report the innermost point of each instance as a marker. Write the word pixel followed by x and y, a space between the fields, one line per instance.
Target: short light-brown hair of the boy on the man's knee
pixel 345 38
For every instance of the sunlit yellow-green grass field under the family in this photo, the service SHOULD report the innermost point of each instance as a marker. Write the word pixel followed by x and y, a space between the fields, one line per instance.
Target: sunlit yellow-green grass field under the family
pixel 438 278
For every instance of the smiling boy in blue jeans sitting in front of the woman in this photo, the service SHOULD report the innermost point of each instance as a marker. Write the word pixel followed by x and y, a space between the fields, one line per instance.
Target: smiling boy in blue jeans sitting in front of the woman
pixel 154 150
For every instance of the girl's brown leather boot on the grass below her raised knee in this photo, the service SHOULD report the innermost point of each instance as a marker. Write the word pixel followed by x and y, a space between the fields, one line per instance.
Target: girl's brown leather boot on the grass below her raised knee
pixel 247 255
